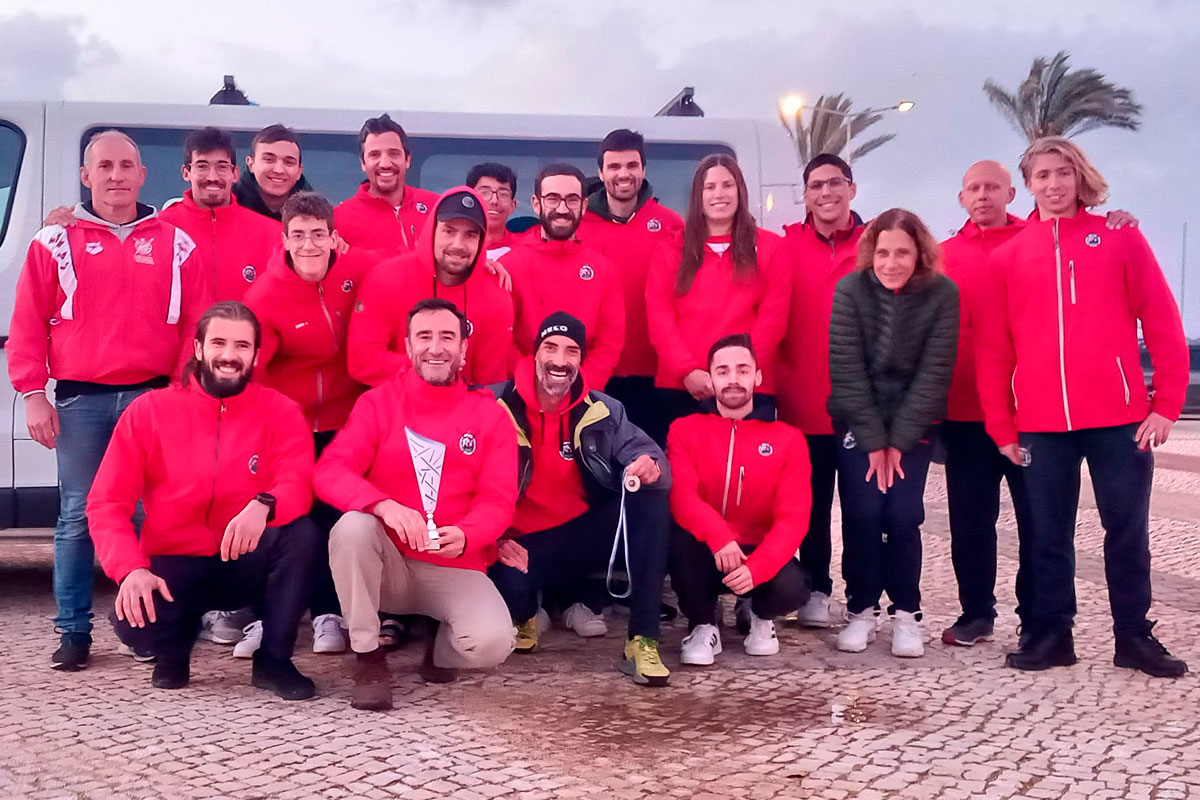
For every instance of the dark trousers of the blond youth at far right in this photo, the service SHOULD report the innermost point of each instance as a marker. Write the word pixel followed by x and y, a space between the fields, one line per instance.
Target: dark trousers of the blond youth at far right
pixel 1121 480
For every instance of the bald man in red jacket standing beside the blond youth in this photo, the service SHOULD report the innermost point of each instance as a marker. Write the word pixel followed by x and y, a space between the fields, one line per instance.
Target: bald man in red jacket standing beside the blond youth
pixel 975 468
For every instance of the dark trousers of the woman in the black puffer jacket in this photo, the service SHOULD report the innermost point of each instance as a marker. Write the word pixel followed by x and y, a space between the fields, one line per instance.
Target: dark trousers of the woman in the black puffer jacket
pixel 881 533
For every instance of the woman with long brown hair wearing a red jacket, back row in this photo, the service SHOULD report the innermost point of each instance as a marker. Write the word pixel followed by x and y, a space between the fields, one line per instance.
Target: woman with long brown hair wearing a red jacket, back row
pixel 724 276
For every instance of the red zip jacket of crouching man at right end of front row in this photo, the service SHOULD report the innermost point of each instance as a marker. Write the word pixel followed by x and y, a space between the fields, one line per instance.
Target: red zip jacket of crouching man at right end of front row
pixel 743 482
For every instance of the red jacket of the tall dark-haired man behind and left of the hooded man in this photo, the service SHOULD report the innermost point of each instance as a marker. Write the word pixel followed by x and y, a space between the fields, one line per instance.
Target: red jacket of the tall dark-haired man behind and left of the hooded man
pixel 373 224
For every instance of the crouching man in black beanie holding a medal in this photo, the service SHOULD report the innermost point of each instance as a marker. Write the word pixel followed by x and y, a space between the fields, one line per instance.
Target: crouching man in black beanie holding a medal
pixel 595 495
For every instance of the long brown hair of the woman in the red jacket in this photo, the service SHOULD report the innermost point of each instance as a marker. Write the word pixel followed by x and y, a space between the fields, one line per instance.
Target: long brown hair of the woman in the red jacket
pixel 695 231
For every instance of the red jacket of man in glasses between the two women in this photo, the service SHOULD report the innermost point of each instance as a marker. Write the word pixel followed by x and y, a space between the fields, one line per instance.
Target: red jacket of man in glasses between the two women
pixel 805 366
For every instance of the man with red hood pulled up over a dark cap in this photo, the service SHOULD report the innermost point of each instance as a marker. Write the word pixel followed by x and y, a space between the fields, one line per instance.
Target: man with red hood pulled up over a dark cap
pixel 449 262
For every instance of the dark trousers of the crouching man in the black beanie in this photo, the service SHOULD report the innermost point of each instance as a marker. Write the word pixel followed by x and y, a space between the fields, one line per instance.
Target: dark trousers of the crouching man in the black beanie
pixel 563 558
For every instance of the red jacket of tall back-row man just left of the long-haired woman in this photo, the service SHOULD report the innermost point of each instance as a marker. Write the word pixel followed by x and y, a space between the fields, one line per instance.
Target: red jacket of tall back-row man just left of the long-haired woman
pixel 631 246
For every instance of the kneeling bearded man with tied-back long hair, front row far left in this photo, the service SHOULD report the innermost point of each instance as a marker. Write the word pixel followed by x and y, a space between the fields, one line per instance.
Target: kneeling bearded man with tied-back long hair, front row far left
pixel 224 470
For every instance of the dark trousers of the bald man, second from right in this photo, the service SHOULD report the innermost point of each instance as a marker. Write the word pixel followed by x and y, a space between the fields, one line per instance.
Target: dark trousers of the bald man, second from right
pixel 975 470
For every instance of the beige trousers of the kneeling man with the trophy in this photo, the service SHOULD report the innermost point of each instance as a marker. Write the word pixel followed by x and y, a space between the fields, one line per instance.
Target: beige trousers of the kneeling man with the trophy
pixel 371 576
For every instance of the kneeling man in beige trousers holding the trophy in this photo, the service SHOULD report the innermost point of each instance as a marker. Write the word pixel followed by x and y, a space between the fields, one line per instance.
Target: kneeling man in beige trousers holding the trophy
pixel 422 453
